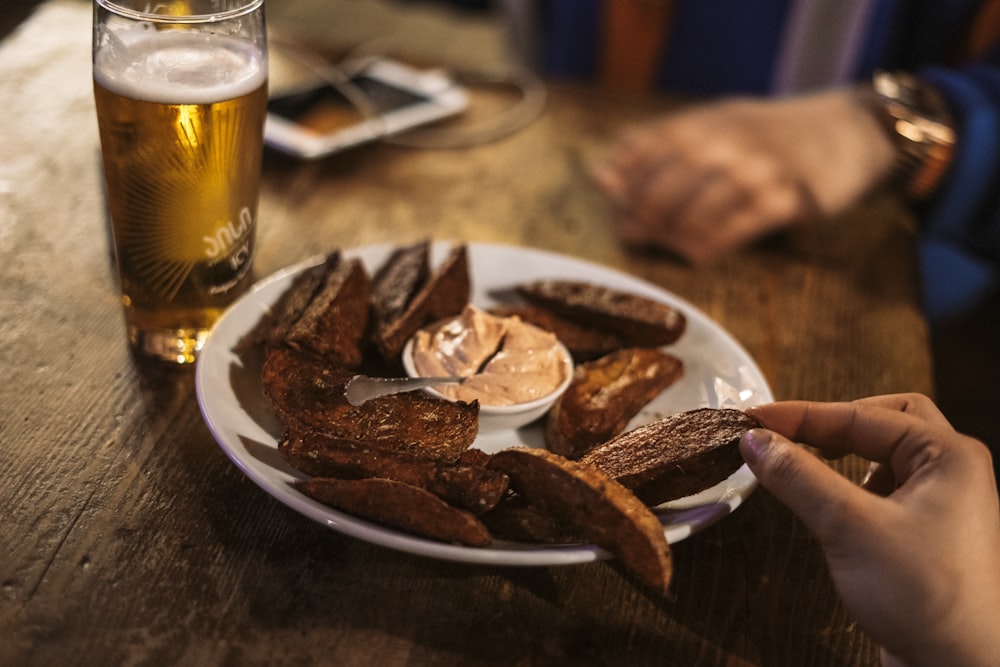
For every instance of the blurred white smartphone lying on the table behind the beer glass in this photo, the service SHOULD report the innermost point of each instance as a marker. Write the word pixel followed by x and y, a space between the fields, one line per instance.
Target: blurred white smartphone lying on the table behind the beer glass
pixel 381 98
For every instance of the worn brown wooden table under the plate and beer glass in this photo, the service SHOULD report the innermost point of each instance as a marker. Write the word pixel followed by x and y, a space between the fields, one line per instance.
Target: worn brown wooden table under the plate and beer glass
pixel 129 538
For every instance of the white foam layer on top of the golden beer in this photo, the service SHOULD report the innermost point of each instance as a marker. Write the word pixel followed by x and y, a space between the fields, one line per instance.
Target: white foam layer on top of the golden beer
pixel 173 67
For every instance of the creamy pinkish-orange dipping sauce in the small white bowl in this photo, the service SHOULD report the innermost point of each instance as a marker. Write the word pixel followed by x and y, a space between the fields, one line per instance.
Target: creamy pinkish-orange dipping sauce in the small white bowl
pixel 509 360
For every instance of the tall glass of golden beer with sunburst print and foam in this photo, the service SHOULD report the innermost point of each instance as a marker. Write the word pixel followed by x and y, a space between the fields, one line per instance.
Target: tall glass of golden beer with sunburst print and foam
pixel 181 92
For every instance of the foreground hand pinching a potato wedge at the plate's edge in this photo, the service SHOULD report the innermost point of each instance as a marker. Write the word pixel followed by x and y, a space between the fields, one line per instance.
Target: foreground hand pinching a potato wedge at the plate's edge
pixel 915 555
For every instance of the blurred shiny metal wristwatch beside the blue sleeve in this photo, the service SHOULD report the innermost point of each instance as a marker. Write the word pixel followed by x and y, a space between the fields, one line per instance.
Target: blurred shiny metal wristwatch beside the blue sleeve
pixel 918 121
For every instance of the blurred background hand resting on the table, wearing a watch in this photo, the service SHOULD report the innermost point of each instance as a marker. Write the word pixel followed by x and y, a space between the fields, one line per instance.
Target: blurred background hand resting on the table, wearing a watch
pixel 710 179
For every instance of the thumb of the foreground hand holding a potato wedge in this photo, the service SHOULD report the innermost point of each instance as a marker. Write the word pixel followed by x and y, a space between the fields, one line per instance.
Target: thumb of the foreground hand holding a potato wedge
pixel 813 491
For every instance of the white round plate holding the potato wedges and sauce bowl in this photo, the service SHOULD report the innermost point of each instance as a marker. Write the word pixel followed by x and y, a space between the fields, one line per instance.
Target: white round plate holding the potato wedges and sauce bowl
pixel 718 372
